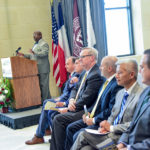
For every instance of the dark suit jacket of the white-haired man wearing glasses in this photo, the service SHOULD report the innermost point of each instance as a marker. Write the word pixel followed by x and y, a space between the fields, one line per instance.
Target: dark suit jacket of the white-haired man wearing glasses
pixel 89 90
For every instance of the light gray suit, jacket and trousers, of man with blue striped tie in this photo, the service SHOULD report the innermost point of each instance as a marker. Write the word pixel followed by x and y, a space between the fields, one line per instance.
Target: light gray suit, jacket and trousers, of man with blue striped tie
pixel 131 103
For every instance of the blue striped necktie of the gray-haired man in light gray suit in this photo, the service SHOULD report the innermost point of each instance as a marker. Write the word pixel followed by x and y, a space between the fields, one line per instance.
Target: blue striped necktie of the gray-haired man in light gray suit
pixel 122 107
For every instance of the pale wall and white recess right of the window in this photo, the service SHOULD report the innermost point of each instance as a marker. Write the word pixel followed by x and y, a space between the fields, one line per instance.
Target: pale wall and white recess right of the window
pixel 141 24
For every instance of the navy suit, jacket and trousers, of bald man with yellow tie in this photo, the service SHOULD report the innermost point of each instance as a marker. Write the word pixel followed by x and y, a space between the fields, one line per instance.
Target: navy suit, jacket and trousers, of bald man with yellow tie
pixel 102 112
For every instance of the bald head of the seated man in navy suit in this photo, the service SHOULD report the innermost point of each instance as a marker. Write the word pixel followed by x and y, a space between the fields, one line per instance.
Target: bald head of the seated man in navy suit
pixel 108 66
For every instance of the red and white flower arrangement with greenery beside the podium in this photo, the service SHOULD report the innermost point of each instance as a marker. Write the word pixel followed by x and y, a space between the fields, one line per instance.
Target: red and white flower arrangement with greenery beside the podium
pixel 5 95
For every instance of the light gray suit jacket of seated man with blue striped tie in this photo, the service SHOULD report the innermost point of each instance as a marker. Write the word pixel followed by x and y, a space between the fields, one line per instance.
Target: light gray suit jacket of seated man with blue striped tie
pixel 129 109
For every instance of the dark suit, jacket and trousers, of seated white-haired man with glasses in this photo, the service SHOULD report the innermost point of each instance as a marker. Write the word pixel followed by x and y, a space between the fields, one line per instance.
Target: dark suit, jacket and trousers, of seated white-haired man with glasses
pixel 87 96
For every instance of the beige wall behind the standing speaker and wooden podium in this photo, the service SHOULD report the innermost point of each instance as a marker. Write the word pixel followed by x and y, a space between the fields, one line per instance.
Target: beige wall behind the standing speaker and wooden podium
pixel 19 19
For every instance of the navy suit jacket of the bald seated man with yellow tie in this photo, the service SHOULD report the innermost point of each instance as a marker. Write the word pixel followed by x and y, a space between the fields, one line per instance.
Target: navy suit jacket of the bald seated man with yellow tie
pixel 106 101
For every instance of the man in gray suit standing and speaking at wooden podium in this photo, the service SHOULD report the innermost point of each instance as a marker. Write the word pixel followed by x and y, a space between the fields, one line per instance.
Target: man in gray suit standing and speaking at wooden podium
pixel 39 52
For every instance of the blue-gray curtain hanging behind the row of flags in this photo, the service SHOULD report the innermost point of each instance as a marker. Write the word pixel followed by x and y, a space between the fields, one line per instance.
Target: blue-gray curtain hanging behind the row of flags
pixel 98 19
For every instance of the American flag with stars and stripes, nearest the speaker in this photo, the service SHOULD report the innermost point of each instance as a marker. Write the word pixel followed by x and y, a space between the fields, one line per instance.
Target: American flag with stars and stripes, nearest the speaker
pixel 59 70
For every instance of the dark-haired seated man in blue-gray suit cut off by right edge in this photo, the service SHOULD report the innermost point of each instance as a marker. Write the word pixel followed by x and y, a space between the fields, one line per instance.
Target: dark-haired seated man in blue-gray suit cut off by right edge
pixel 137 137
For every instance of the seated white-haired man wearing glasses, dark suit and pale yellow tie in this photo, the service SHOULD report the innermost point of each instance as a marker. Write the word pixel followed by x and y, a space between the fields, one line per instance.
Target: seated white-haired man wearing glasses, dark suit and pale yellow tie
pixel 84 93
